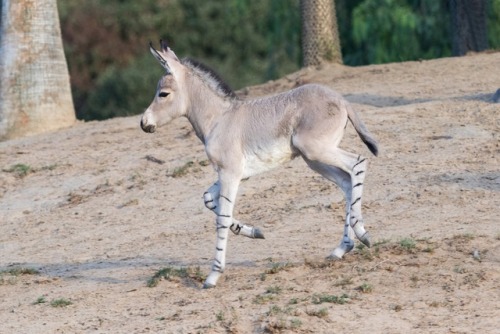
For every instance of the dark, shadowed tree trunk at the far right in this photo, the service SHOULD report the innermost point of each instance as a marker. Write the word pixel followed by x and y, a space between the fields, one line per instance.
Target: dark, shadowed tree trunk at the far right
pixel 469 26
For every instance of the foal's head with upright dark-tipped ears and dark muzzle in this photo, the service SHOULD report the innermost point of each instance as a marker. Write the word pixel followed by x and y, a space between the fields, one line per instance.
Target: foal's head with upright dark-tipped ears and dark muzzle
pixel 171 100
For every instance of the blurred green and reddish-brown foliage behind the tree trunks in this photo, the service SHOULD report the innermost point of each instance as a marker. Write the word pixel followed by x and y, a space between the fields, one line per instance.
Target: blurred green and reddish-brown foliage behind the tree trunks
pixel 246 41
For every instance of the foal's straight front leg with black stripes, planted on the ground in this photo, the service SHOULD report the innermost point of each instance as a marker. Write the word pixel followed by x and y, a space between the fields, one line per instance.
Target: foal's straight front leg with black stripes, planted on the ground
pixel 227 197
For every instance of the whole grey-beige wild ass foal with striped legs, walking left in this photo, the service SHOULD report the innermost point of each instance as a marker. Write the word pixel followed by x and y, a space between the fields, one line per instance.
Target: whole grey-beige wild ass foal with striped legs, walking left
pixel 246 137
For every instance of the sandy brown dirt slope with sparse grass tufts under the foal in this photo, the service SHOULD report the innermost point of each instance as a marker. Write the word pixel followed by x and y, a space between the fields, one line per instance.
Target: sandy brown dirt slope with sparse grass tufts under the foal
pixel 89 215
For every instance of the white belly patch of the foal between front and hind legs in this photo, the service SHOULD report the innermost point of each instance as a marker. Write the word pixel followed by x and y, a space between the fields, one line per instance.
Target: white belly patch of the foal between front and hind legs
pixel 261 160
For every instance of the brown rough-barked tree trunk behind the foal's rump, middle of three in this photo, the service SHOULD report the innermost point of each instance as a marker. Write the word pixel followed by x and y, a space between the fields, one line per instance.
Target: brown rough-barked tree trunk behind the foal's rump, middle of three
pixel 320 35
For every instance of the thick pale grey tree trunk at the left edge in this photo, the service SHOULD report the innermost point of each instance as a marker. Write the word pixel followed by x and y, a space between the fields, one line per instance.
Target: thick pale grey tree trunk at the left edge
pixel 34 81
